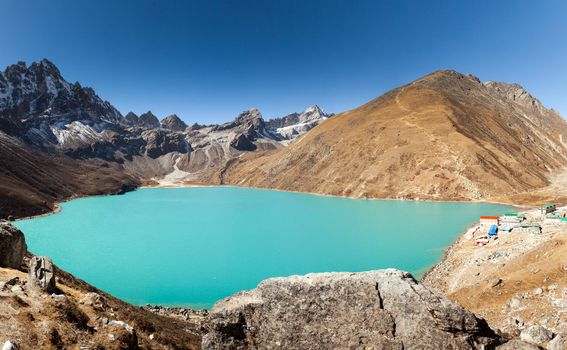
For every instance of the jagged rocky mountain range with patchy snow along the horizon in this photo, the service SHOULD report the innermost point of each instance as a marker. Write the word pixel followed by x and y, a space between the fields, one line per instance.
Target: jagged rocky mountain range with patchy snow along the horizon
pixel 41 108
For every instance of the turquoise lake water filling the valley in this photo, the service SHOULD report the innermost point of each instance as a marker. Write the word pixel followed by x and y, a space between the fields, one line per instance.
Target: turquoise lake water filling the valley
pixel 194 246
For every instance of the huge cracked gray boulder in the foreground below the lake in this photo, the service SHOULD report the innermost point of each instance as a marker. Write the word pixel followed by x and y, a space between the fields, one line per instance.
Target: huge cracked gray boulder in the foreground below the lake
pixel 385 309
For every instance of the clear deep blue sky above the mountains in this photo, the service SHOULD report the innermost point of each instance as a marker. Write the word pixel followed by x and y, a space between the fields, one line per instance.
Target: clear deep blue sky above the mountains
pixel 208 60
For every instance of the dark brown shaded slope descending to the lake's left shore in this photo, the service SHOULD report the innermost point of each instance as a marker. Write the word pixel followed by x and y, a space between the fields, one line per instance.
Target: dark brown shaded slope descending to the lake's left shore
pixel 31 181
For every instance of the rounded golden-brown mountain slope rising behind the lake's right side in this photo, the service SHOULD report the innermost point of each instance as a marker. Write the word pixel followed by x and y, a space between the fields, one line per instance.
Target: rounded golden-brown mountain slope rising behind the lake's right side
pixel 445 136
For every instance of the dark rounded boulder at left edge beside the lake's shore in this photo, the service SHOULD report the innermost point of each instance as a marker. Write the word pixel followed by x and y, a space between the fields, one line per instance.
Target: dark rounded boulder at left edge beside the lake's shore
pixel 12 246
